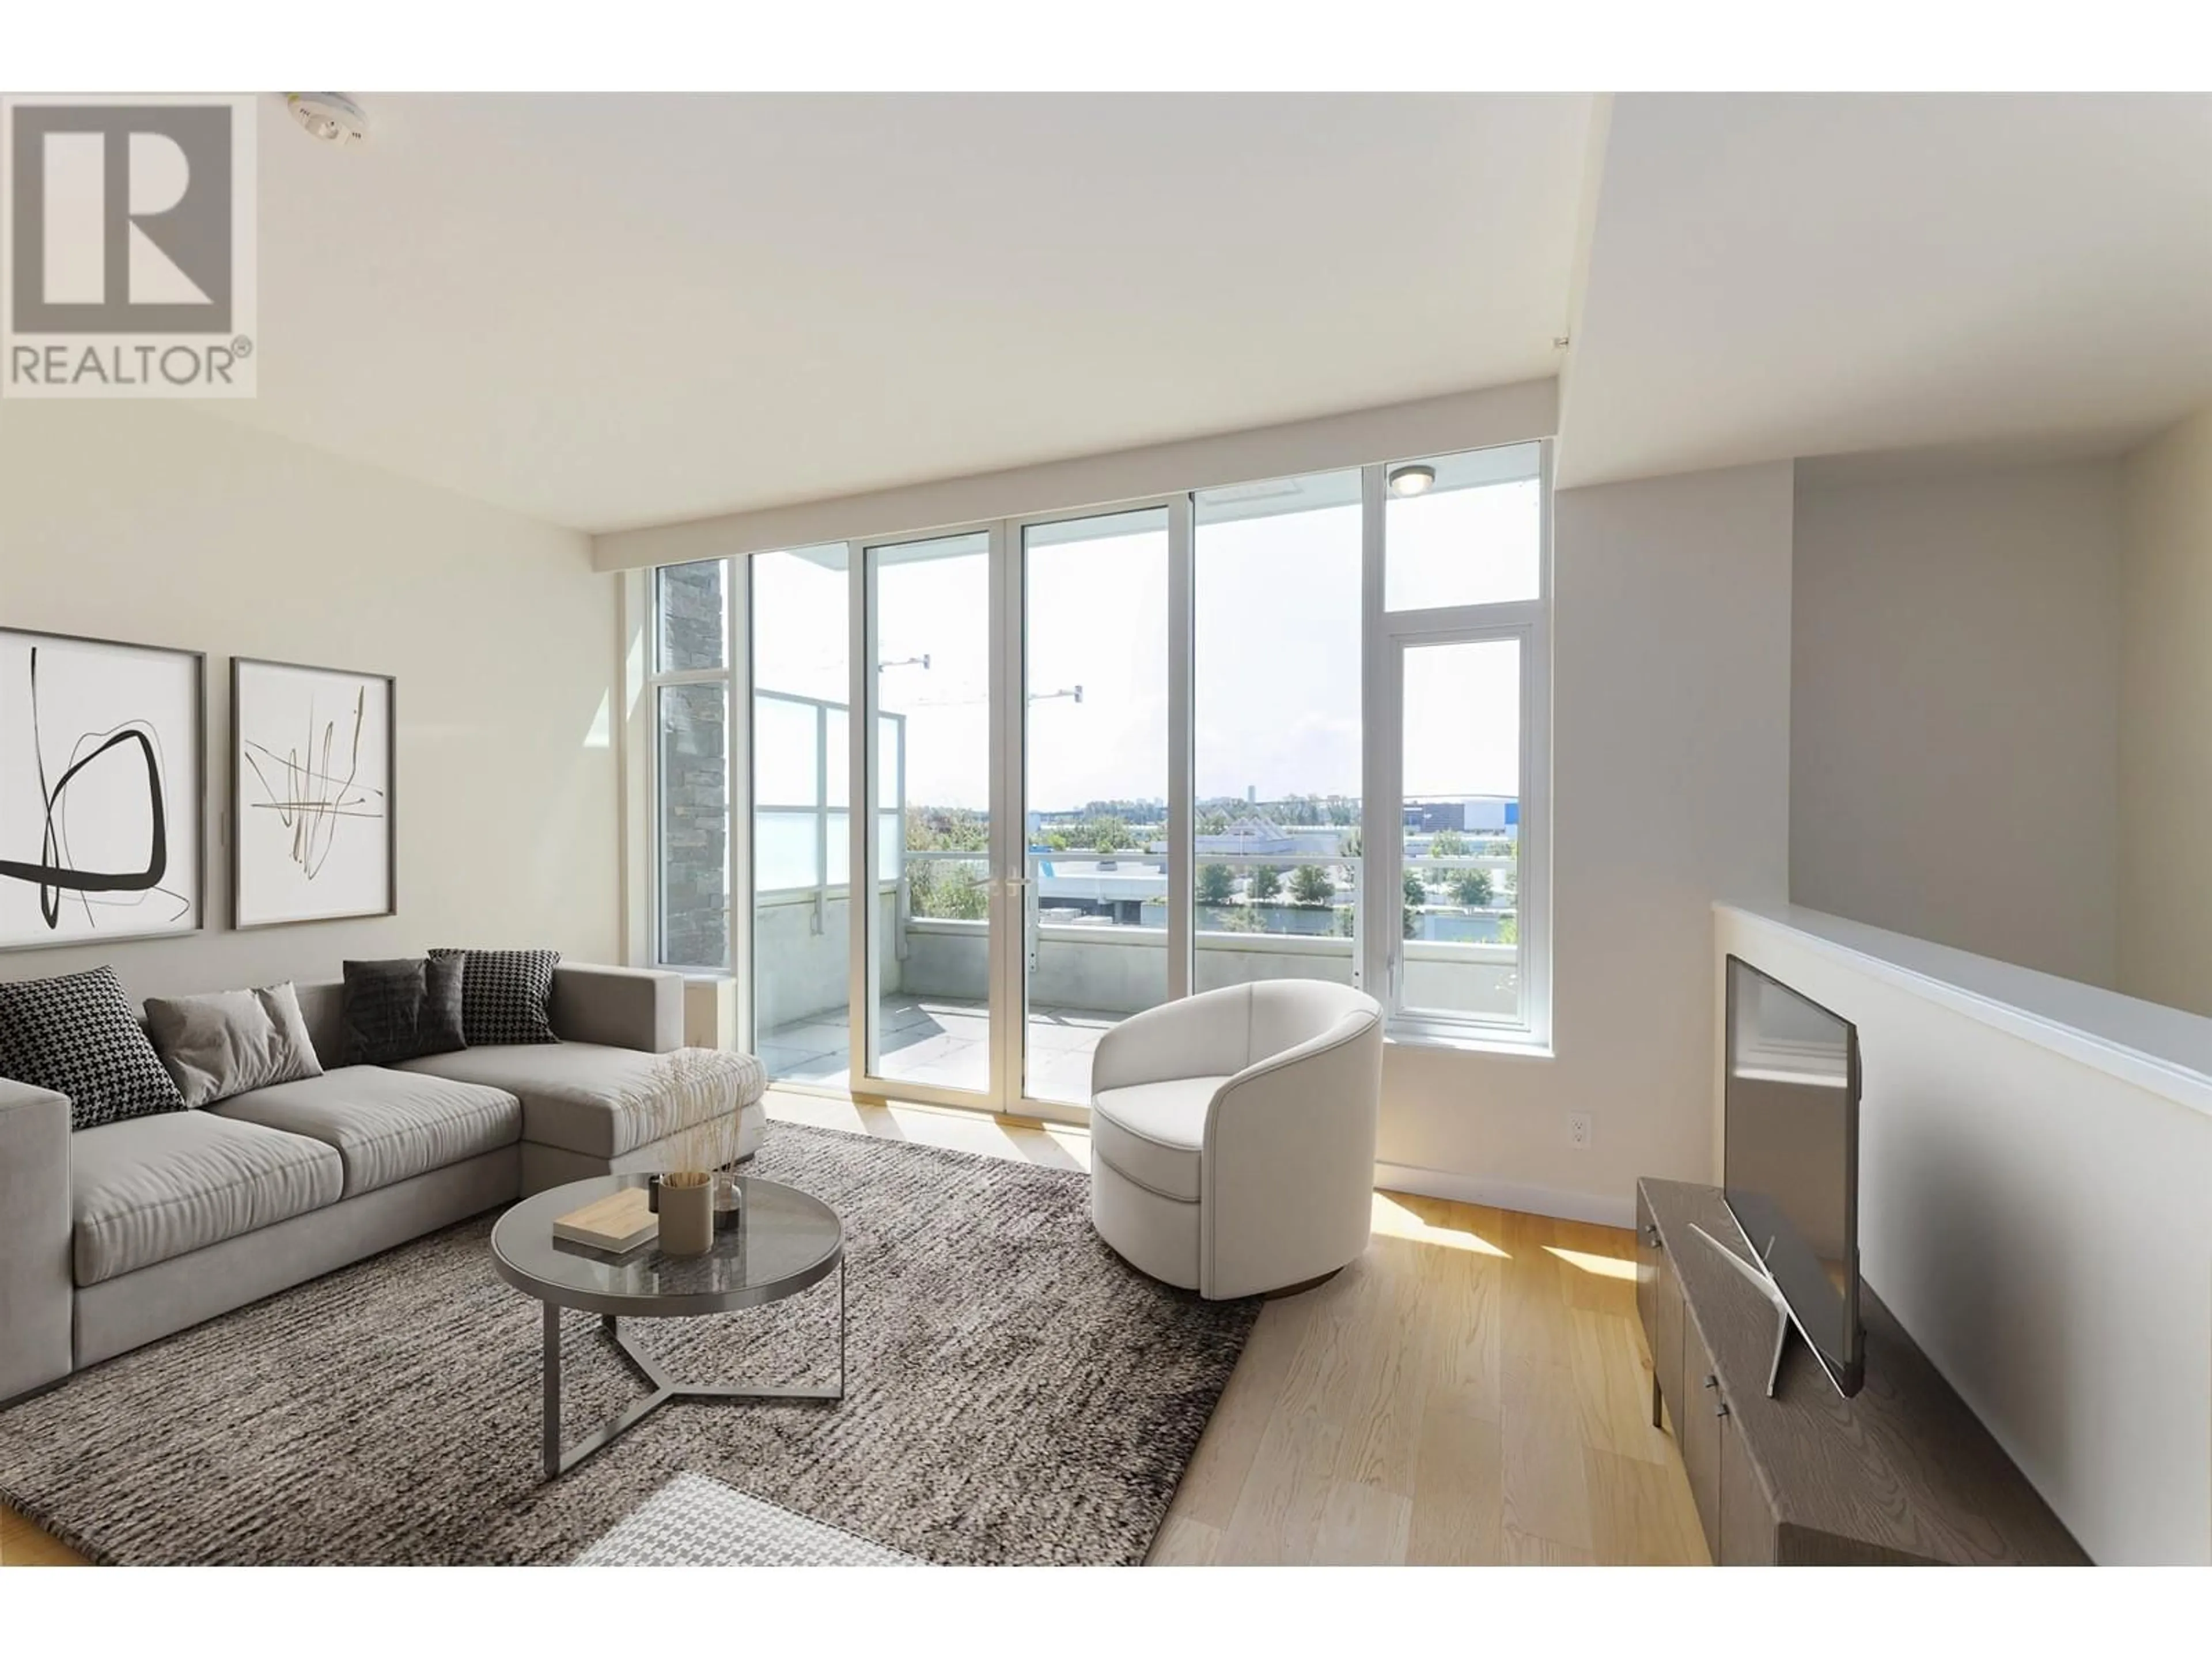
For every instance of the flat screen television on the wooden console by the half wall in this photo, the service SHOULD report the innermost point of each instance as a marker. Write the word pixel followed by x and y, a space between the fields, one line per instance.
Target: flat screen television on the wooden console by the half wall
pixel 1791 1149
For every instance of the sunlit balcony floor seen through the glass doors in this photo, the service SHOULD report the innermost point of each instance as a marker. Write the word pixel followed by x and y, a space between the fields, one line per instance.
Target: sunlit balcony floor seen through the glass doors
pixel 943 1043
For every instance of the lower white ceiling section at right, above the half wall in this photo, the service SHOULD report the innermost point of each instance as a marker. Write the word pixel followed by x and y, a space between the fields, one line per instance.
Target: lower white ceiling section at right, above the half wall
pixel 1777 278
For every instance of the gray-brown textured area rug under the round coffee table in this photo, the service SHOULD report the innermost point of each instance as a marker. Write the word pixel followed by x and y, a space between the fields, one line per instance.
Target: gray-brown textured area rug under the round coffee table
pixel 1016 1395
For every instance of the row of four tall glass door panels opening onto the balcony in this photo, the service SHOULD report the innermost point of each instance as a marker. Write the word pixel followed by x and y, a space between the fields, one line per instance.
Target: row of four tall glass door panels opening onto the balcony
pixel 1054 848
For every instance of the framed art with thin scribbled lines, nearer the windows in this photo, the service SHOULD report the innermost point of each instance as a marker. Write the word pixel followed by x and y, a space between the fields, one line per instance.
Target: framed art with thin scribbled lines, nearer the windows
pixel 313 815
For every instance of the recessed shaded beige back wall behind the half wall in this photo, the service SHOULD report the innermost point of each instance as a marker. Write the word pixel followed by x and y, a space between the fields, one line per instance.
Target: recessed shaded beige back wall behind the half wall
pixel 1957 709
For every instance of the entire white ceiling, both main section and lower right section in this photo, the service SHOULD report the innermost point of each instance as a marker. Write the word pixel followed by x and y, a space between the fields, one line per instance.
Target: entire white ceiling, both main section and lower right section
pixel 636 311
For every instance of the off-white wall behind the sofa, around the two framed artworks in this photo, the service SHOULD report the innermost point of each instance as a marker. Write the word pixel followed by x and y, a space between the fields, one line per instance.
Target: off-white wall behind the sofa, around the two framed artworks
pixel 152 523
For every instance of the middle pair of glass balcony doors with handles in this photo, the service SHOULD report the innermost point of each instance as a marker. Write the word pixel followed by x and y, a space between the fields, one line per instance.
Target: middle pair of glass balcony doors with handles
pixel 1025 881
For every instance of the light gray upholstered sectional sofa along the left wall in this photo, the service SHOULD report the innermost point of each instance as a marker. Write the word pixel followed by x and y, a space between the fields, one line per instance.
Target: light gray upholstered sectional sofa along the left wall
pixel 112 1238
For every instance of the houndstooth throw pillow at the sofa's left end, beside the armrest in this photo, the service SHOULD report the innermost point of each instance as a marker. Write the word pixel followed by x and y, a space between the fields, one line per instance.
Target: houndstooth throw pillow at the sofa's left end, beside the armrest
pixel 81 1039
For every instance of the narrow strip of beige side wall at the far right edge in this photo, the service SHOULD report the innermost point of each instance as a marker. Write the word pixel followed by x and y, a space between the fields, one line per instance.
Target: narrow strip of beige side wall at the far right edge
pixel 2167 720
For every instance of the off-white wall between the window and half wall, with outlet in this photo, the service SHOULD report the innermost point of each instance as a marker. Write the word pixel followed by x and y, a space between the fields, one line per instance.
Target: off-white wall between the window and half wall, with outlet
pixel 1671 789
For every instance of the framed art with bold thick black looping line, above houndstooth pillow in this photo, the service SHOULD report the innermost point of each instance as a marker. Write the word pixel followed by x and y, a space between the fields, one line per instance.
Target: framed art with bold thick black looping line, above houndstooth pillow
pixel 101 791
